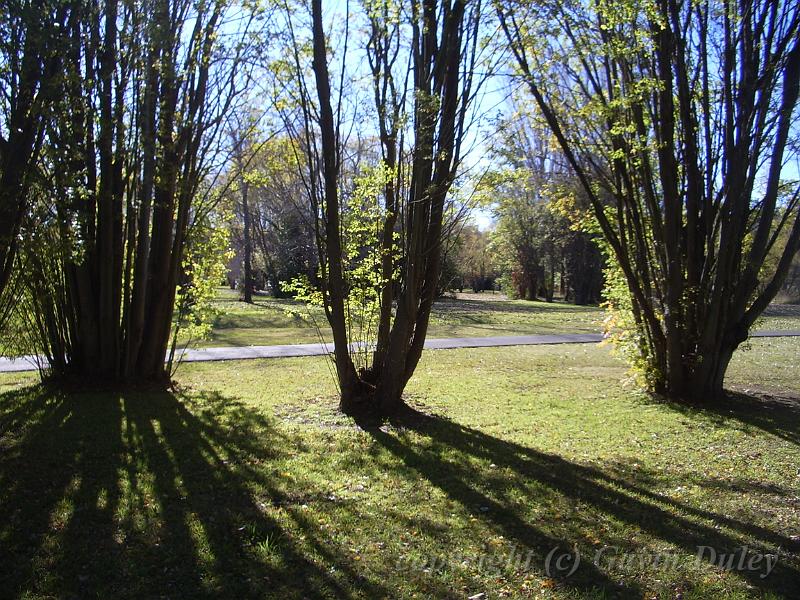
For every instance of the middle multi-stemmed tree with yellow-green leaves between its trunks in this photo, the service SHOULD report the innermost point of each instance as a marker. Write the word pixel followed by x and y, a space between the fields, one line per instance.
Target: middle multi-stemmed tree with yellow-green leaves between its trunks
pixel 404 195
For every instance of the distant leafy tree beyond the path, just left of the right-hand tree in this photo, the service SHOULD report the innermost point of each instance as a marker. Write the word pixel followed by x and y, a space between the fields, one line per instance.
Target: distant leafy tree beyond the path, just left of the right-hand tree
pixel 536 198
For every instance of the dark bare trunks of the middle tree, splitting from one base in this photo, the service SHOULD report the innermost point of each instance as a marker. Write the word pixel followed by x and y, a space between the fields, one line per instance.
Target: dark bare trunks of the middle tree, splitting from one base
pixel 440 95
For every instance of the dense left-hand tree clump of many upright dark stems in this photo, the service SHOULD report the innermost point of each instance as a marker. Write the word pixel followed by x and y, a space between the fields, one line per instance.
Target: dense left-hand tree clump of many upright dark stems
pixel 141 107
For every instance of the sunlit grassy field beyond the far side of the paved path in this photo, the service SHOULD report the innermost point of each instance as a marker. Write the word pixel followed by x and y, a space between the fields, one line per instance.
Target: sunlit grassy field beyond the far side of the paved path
pixel 270 321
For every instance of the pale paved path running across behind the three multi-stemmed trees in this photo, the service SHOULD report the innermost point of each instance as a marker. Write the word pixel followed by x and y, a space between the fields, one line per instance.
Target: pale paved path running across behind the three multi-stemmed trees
pixel 28 363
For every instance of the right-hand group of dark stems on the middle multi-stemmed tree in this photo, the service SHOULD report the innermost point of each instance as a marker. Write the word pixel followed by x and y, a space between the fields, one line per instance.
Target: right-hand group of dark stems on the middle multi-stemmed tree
pixel 444 45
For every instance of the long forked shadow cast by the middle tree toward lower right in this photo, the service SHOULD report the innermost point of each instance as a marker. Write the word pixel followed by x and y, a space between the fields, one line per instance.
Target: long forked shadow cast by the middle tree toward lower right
pixel 594 495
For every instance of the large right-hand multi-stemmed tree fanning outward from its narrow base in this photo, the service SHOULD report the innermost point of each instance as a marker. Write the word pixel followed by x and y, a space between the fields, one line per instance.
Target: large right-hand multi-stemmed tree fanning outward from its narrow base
pixel 681 114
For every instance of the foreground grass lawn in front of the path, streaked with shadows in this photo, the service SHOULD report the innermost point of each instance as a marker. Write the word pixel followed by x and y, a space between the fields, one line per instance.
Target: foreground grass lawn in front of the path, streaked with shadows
pixel 245 482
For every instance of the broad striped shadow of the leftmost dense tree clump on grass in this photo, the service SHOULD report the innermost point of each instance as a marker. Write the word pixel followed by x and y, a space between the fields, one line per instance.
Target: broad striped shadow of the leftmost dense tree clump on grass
pixel 141 494
